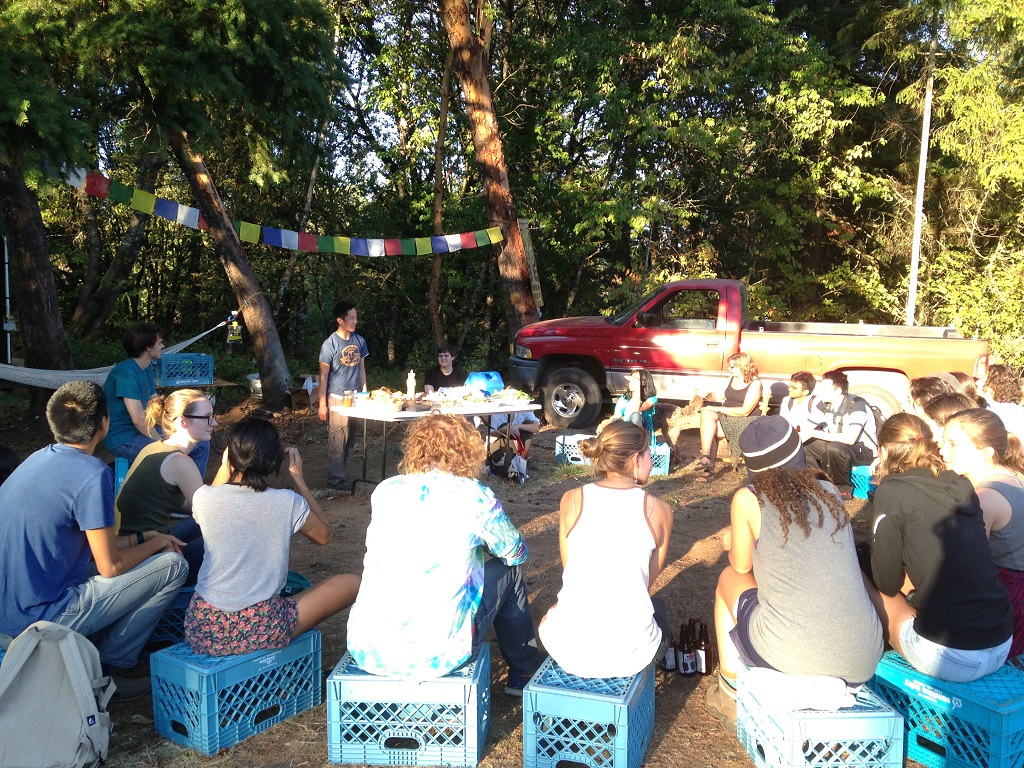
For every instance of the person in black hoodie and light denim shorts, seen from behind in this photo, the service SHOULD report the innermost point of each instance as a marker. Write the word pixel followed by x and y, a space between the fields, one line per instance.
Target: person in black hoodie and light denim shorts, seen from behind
pixel 941 601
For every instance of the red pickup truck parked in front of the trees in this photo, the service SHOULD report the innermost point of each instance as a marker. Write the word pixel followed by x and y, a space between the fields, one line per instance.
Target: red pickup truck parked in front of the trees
pixel 686 332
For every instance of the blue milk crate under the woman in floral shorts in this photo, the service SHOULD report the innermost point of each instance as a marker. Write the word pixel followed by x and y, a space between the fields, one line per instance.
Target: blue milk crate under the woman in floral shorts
pixel 212 703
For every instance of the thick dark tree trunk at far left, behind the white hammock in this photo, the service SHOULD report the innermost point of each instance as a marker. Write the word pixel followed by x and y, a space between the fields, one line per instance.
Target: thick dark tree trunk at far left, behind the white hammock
pixel 34 293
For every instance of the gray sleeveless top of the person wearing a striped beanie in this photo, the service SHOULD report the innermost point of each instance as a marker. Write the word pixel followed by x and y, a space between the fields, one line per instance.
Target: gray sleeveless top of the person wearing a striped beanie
pixel 815 617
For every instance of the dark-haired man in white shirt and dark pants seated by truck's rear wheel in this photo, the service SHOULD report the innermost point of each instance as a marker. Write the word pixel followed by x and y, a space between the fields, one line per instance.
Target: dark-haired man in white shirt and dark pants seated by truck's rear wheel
pixel 847 437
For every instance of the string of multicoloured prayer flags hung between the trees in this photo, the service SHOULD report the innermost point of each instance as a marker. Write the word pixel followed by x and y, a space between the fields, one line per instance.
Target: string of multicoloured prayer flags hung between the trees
pixel 98 186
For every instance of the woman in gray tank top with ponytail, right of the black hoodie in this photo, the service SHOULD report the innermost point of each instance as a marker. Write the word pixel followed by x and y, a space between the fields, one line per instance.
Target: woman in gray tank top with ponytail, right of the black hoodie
pixel 977 446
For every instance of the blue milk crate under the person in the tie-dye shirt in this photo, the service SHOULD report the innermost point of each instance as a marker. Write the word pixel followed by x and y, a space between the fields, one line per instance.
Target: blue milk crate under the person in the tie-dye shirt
pixel 378 720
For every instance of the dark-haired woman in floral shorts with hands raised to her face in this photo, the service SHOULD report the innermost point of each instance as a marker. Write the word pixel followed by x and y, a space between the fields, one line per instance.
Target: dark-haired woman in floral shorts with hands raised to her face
pixel 248 527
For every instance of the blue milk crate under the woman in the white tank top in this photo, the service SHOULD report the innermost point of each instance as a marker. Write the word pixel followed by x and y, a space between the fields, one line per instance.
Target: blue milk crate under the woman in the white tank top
pixel 600 722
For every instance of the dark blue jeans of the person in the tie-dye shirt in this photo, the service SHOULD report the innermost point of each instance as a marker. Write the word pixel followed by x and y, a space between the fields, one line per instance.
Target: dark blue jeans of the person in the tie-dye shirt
pixel 504 606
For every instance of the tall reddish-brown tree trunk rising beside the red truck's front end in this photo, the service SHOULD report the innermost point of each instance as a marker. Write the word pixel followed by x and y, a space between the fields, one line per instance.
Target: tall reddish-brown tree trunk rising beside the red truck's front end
pixel 472 67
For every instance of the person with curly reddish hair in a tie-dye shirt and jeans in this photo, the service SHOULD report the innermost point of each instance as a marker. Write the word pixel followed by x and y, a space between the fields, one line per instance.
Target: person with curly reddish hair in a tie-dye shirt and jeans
pixel 430 596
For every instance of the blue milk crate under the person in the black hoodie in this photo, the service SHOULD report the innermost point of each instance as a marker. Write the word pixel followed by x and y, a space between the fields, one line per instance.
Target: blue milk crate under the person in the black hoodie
pixel 957 726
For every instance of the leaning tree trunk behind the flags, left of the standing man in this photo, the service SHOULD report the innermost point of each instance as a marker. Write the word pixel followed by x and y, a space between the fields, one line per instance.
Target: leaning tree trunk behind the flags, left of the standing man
pixel 252 301
